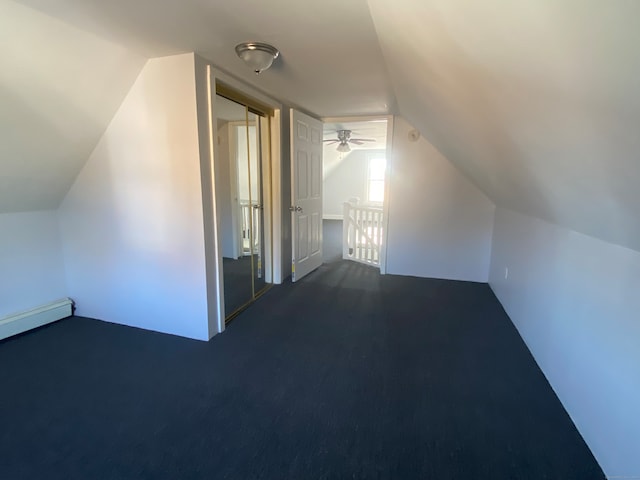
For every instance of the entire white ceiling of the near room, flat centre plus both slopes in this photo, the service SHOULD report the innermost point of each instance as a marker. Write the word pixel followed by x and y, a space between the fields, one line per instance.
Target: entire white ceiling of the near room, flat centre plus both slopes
pixel 536 101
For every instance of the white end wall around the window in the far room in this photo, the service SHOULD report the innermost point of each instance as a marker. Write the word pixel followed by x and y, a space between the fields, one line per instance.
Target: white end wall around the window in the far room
pixel 345 180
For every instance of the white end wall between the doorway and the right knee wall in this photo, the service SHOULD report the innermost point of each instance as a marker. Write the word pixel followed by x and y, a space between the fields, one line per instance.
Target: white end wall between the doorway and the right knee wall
pixel 440 224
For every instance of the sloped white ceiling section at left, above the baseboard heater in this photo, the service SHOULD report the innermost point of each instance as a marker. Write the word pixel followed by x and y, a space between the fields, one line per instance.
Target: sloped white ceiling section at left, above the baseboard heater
pixel 59 88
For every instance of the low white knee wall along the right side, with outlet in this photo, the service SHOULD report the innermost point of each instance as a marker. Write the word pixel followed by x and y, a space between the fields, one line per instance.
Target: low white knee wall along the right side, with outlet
pixel 575 302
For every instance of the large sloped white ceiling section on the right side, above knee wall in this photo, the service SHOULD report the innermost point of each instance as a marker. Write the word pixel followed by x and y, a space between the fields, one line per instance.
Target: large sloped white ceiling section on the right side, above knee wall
pixel 537 101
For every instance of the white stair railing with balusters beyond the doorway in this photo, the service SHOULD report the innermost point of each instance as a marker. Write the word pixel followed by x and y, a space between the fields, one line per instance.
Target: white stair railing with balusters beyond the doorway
pixel 362 233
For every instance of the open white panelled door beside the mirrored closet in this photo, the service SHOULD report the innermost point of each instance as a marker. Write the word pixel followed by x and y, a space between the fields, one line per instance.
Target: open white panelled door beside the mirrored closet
pixel 306 194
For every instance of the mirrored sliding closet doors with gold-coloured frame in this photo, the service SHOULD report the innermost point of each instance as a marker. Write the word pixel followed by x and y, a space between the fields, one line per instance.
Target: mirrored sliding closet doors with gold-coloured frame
pixel 239 195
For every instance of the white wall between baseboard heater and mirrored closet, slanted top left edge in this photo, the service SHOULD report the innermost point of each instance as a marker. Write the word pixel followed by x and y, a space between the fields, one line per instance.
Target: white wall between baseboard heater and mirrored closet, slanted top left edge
pixel 132 224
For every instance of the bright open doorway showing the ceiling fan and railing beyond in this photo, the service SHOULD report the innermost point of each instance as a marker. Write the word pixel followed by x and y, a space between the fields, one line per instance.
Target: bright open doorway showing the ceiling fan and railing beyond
pixel 355 170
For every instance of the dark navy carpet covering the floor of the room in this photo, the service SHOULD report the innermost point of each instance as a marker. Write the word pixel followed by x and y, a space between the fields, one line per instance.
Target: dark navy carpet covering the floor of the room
pixel 345 374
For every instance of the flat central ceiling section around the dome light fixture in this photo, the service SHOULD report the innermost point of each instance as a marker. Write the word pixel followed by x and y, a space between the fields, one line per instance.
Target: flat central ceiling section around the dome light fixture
pixel 330 61
